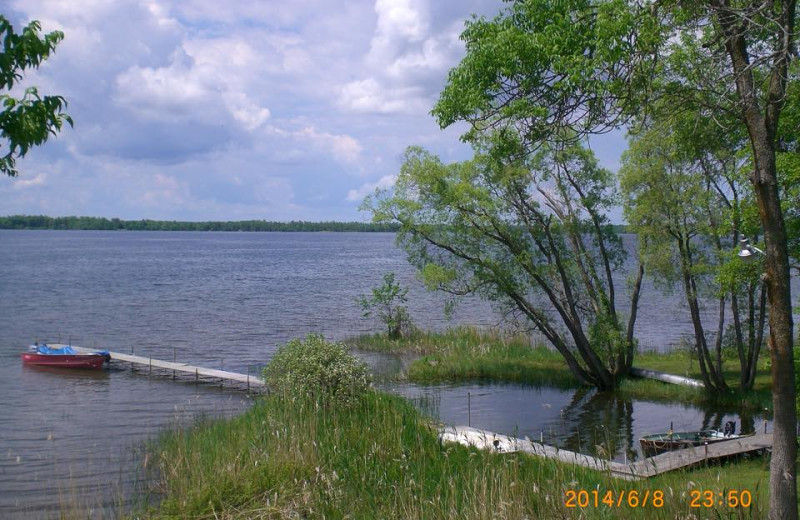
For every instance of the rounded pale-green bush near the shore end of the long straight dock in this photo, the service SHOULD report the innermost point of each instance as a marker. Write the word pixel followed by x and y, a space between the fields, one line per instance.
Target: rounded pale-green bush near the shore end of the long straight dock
pixel 319 368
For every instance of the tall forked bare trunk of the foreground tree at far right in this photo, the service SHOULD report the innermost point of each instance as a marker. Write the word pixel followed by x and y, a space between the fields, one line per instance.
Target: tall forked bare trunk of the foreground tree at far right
pixel 762 129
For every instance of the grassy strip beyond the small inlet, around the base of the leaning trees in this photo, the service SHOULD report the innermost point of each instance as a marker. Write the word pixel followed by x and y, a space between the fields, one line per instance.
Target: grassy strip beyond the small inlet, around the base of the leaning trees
pixel 465 353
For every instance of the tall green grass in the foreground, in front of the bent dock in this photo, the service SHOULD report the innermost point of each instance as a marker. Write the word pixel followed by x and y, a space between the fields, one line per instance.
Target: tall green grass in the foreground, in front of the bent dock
pixel 296 458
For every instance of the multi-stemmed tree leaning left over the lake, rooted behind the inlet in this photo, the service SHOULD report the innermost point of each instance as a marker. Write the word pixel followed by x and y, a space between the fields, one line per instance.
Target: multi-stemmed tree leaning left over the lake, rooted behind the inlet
pixel 531 235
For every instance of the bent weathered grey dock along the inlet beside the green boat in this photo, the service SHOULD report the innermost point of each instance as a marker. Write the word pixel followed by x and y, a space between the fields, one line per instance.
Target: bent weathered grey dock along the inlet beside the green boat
pixel 632 471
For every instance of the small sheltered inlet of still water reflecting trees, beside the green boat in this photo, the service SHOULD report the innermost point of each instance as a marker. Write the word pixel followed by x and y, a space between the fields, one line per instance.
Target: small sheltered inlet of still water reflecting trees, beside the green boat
pixel 585 420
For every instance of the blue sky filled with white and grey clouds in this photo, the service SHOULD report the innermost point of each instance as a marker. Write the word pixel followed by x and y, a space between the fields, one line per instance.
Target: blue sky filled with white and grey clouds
pixel 236 110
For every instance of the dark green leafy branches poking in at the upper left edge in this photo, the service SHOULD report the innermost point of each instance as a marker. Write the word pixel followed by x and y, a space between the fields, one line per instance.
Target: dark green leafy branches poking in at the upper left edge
pixel 31 119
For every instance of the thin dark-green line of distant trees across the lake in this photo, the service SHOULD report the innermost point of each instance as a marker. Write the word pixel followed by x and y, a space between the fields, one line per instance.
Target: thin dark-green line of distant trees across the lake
pixel 98 223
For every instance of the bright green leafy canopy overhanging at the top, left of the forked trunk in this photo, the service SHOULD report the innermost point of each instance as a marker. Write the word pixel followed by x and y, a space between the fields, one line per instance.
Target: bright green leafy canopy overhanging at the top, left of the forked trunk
pixel 542 67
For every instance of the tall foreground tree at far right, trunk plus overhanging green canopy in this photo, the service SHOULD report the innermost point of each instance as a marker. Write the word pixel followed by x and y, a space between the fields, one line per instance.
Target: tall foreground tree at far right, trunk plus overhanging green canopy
pixel 589 65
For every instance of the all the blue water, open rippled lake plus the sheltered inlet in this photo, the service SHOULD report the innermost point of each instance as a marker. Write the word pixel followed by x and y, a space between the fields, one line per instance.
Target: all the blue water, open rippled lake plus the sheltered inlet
pixel 229 299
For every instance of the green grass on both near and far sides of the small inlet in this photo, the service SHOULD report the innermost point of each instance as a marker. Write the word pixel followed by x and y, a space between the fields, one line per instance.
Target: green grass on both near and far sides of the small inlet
pixel 300 457
